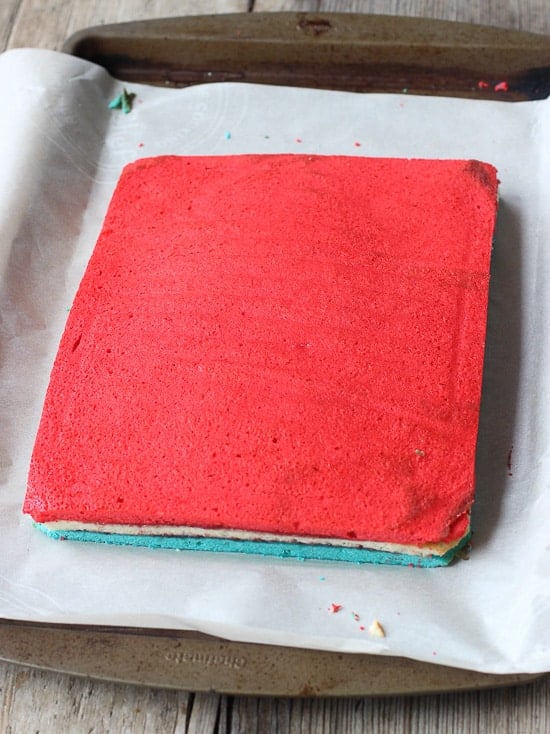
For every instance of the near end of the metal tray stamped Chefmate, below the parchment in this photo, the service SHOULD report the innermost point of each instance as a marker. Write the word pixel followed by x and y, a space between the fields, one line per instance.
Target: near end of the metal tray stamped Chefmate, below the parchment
pixel 191 660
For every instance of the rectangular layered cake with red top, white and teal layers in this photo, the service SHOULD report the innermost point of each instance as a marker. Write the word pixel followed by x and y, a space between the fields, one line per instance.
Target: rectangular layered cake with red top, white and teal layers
pixel 275 354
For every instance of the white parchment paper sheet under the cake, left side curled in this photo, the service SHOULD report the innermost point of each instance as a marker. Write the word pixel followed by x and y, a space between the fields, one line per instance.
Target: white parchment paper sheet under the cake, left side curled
pixel 62 150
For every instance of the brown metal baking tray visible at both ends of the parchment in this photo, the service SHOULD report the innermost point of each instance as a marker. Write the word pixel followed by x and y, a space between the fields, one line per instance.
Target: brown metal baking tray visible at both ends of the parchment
pixel 341 51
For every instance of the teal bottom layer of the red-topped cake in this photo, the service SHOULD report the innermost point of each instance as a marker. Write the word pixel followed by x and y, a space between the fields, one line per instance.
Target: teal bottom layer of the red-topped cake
pixel 300 551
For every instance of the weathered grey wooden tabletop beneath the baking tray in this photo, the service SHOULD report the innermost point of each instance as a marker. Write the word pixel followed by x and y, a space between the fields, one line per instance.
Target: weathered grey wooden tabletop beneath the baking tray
pixel 38 701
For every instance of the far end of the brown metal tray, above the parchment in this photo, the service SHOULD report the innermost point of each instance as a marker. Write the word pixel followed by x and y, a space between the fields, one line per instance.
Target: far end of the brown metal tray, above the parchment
pixel 347 51
